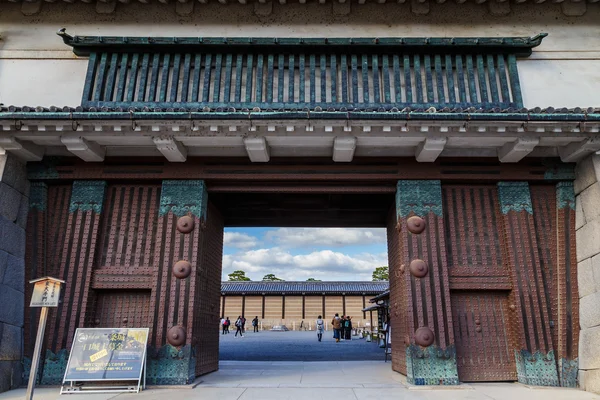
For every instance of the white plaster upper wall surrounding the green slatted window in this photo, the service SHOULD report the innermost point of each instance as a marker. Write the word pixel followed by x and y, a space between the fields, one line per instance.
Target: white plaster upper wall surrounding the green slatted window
pixel 36 68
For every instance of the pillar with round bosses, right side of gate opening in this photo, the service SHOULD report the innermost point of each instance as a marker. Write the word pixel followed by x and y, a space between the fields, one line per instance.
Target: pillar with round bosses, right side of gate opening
pixel 421 319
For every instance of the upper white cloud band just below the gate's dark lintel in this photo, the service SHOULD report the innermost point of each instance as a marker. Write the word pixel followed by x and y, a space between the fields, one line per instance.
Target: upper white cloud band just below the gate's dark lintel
pixel 335 237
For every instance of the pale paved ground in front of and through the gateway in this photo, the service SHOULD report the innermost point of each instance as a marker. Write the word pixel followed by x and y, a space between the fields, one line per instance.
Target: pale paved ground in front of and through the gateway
pixel 348 380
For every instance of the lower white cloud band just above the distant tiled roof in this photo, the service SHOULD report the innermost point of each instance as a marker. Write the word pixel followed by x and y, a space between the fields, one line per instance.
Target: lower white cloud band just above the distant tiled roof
pixel 324 264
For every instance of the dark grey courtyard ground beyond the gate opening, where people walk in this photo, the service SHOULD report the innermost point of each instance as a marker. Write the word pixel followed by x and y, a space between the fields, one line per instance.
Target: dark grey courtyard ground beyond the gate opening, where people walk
pixel 296 346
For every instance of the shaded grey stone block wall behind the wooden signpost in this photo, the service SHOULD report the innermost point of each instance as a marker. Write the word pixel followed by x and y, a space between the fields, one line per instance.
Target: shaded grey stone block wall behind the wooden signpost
pixel 14 204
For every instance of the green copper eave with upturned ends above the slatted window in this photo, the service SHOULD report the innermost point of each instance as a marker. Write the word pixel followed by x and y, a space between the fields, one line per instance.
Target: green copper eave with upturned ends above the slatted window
pixel 521 46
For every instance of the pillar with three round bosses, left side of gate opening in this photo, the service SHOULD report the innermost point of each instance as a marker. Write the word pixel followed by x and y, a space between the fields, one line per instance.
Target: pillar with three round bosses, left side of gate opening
pixel 186 285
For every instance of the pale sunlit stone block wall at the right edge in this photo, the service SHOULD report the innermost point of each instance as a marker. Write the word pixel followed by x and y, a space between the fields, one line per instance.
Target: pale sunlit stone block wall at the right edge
pixel 587 190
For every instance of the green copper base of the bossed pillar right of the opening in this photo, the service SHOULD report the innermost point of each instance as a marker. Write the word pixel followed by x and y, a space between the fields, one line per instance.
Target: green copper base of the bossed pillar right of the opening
pixel 431 365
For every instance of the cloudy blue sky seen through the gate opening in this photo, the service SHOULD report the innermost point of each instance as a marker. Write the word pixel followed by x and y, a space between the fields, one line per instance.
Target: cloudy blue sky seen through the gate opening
pixel 328 254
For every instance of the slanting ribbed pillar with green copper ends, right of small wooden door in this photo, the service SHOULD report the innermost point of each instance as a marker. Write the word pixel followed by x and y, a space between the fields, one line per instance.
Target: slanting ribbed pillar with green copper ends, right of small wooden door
pixel 535 358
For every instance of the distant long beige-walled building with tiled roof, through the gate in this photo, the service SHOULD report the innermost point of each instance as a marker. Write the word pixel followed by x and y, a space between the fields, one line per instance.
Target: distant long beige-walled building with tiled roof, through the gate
pixel 296 303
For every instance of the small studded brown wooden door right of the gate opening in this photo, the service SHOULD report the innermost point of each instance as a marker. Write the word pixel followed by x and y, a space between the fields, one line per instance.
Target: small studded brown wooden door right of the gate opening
pixel 483 350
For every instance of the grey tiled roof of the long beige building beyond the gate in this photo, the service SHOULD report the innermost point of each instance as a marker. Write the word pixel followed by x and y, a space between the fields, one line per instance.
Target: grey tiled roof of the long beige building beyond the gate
pixel 368 288
